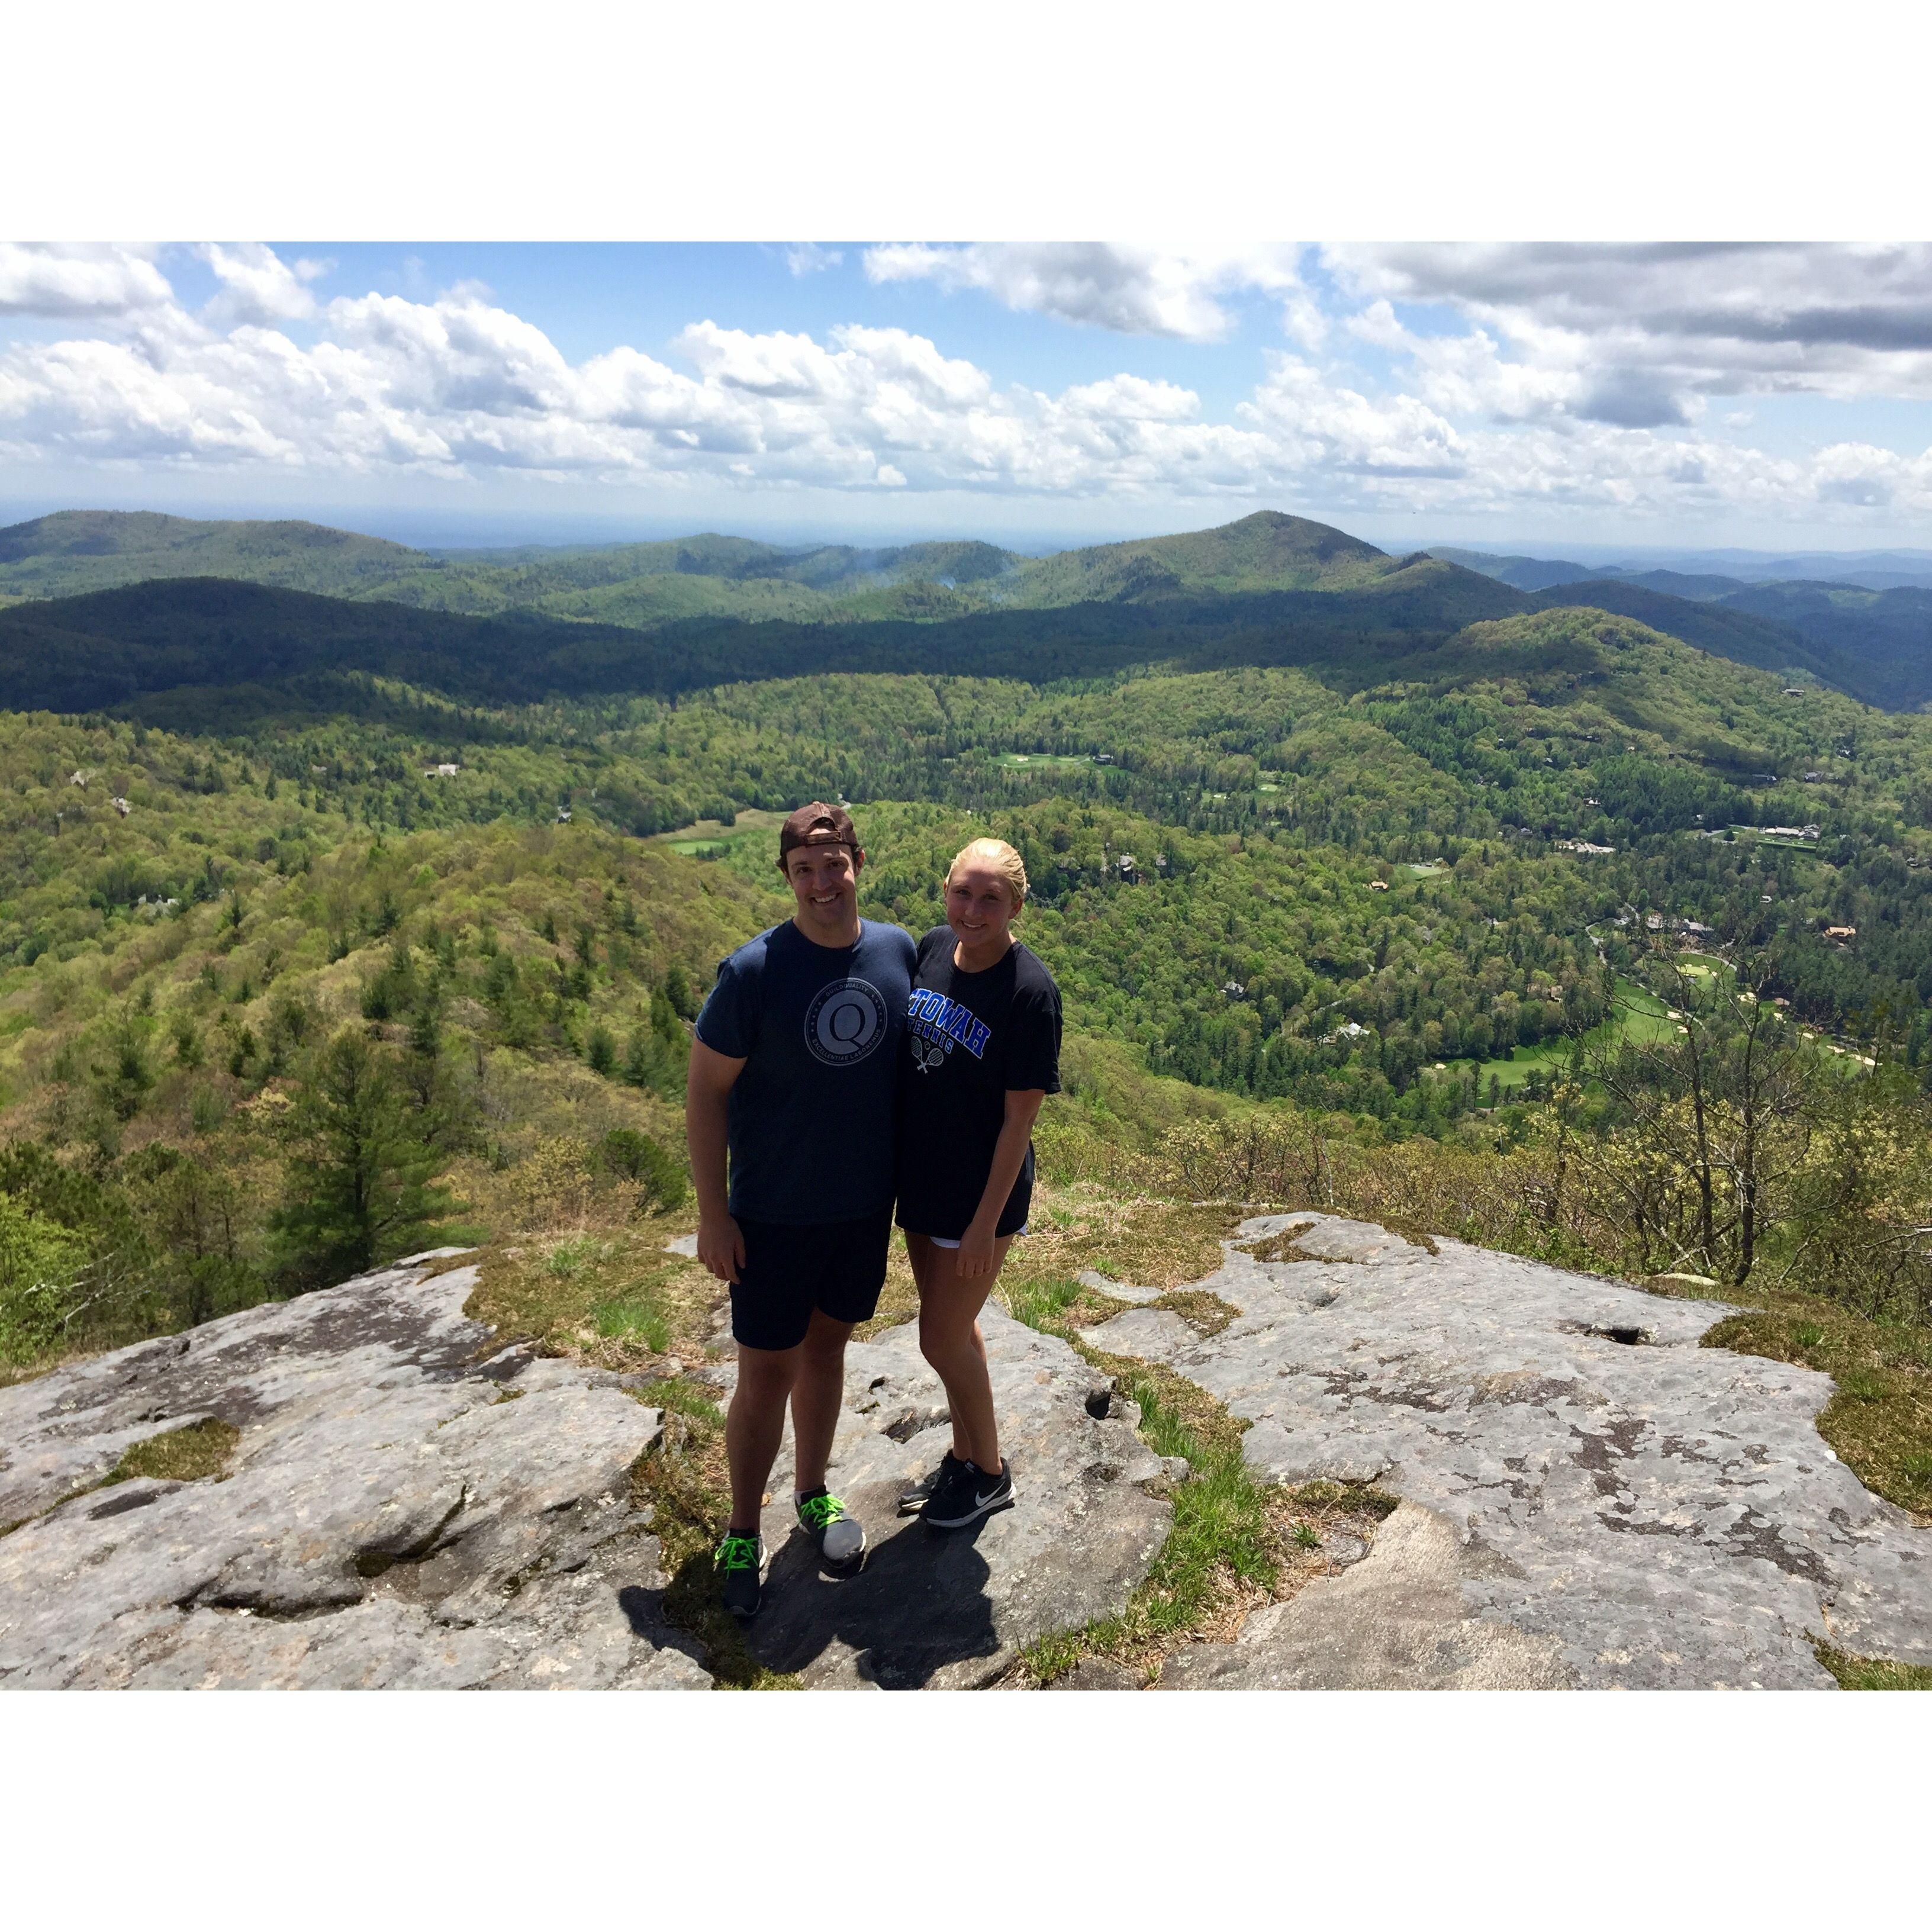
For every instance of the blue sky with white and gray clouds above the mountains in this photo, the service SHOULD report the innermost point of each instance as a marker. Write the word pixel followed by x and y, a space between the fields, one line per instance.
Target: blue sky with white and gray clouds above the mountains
pixel 1771 397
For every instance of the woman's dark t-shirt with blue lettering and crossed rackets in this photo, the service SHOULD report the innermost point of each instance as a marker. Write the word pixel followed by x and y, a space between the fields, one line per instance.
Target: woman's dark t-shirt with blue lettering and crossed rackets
pixel 971 1040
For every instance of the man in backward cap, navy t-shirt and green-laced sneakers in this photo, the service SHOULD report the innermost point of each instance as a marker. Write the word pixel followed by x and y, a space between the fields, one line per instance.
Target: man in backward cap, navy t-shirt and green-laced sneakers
pixel 795 1071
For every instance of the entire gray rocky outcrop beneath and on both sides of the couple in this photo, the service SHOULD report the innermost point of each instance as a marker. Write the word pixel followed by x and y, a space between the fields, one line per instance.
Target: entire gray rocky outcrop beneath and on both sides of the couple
pixel 1589 1498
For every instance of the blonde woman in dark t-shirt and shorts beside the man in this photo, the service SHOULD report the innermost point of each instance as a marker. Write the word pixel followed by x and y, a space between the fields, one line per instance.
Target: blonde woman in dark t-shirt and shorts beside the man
pixel 984 1037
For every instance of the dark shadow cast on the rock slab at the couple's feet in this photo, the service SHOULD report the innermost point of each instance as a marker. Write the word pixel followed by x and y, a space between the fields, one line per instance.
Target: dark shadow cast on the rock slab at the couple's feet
pixel 919 1608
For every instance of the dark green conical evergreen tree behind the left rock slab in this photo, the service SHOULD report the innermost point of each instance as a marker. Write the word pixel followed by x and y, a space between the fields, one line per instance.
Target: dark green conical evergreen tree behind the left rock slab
pixel 360 1166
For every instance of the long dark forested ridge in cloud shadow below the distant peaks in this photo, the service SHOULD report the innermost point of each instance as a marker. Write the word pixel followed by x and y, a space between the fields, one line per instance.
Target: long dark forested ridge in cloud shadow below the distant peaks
pixel 111 646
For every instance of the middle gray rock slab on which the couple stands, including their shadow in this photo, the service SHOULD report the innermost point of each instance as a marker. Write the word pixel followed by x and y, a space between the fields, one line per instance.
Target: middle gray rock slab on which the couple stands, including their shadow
pixel 952 1608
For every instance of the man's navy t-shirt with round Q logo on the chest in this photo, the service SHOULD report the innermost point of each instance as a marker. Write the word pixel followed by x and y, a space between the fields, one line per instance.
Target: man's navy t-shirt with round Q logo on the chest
pixel 814 1114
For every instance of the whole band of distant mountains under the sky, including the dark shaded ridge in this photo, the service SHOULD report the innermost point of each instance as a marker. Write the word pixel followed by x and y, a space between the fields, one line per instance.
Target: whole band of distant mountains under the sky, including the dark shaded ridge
pixel 1268 588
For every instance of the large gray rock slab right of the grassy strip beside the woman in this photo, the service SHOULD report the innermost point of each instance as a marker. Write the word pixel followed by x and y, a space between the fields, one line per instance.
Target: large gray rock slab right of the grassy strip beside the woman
pixel 1661 1514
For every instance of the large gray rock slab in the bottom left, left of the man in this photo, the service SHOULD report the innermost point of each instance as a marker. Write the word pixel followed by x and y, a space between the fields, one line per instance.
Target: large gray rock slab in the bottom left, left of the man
pixel 405 1508
